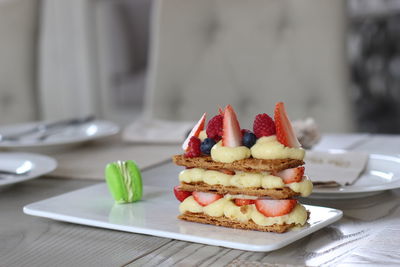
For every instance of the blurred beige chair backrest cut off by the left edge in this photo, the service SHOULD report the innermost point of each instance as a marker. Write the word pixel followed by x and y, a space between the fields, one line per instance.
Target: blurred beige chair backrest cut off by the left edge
pixel 18 64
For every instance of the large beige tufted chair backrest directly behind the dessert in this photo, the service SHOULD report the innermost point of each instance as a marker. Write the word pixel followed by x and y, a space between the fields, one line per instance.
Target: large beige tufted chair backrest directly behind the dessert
pixel 251 54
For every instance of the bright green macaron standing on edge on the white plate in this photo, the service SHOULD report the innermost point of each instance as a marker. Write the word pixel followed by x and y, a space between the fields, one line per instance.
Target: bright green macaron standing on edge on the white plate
pixel 124 181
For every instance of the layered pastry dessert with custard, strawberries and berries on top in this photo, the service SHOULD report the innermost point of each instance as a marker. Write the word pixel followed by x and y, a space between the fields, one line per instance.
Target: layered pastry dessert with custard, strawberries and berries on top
pixel 243 179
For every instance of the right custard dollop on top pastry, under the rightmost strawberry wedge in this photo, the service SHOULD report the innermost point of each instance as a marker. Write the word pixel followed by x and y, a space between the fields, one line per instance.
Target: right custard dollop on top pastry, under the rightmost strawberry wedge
pixel 270 148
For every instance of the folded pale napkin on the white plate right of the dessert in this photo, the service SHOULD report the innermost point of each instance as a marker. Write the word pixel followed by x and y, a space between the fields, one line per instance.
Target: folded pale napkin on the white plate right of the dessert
pixel 332 169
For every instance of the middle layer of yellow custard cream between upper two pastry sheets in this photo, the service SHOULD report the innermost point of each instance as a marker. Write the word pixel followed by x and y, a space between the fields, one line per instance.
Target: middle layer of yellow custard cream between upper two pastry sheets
pixel 244 179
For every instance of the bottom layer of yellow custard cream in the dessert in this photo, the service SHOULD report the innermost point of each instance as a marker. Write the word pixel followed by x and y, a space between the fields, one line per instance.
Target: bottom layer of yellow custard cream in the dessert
pixel 225 207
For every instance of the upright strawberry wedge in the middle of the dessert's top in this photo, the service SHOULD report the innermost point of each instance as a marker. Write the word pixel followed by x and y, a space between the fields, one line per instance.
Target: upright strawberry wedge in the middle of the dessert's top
pixel 232 136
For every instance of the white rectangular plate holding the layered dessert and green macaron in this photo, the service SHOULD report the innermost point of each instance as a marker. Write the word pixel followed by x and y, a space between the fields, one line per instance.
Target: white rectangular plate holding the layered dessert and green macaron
pixel 157 215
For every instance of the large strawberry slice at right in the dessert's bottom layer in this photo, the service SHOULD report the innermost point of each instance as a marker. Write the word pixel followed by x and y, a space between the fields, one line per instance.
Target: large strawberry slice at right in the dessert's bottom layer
pixel 274 208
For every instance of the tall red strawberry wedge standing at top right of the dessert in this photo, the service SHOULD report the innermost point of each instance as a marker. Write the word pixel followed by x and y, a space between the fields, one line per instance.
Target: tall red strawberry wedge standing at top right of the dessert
pixel 284 130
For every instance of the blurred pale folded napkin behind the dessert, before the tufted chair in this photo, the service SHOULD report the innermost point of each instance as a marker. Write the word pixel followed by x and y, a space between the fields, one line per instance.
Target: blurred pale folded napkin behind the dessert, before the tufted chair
pixel 157 131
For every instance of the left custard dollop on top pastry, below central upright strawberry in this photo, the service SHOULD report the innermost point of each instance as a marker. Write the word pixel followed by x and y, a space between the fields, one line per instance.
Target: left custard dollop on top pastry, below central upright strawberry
pixel 229 154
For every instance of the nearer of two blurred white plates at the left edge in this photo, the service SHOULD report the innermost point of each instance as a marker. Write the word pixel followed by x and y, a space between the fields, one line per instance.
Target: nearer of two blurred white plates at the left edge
pixel 35 165
